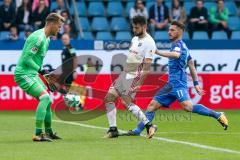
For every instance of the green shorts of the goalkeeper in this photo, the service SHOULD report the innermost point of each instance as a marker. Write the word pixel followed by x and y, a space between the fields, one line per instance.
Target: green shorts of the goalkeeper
pixel 31 84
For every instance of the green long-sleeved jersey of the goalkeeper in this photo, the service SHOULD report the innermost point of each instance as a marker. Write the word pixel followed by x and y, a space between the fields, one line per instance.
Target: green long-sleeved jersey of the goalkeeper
pixel 33 53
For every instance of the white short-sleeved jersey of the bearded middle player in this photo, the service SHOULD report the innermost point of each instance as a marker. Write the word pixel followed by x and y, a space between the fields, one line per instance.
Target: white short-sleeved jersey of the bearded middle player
pixel 140 49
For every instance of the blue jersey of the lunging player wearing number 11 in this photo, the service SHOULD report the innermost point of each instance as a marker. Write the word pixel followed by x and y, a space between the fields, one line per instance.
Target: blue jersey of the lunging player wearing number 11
pixel 177 67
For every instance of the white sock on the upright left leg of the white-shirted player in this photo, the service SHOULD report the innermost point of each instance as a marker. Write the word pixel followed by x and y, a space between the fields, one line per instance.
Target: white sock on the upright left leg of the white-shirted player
pixel 111 114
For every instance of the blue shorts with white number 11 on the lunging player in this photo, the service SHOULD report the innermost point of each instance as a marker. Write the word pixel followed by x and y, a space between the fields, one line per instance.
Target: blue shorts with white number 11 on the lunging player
pixel 168 94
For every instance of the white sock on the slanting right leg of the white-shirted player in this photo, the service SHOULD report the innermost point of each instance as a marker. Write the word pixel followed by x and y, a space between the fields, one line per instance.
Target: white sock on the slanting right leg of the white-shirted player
pixel 138 113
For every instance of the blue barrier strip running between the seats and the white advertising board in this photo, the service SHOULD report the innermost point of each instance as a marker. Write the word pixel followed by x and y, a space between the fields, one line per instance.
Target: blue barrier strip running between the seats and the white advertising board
pixel 111 45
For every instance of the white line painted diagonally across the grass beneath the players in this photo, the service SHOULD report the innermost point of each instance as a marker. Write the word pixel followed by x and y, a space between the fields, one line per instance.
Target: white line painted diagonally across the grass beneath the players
pixel 159 138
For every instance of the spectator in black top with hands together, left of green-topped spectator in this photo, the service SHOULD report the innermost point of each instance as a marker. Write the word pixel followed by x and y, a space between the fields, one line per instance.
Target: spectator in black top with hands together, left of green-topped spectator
pixel 198 18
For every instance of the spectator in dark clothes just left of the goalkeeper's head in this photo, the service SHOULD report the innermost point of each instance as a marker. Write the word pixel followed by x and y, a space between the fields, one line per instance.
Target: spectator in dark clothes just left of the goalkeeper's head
pixel 39 15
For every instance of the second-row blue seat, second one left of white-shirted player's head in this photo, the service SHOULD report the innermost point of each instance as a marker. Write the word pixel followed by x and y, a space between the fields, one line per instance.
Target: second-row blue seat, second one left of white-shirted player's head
pixel 100 24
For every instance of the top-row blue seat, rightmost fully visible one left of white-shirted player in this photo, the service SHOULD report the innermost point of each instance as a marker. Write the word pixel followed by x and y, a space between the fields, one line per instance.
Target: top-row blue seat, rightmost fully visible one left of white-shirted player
pixel 114 9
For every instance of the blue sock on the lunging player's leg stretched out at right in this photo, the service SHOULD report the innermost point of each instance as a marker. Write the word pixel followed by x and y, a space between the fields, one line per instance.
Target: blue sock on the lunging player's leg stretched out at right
pixel 202 110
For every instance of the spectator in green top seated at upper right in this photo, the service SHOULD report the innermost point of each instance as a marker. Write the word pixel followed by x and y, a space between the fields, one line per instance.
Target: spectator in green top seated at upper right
pixel 219 17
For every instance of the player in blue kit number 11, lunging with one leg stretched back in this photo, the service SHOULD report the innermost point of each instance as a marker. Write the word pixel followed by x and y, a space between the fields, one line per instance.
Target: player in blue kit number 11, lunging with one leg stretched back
pixel 177 83
